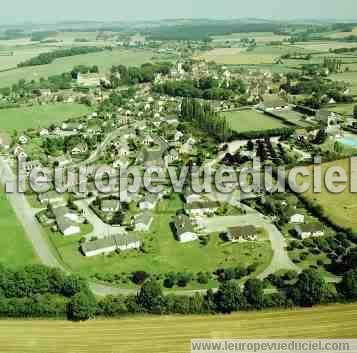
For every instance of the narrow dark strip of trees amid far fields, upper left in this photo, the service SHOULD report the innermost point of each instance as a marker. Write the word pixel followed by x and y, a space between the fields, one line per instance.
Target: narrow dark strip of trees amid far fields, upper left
pixel 48 58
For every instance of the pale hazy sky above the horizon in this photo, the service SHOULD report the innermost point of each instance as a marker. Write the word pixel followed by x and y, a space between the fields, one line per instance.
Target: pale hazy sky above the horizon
pixel 56 10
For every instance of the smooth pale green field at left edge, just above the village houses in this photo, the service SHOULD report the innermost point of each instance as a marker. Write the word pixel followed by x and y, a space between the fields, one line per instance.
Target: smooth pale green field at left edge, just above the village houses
pixel 38 116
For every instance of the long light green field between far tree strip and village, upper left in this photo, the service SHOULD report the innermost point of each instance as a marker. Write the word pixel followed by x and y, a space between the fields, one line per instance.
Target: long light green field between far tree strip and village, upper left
pixel 104 60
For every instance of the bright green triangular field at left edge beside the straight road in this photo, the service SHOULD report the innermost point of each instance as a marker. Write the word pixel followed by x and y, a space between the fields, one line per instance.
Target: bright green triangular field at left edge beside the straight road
pixel 16 249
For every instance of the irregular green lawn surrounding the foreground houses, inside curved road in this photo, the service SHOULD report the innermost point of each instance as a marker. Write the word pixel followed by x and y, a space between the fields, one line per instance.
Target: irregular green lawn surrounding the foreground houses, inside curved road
pixel 164 252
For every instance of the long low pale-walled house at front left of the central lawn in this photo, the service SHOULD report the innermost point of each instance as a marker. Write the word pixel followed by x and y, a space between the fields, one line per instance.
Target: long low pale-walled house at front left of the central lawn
pixel 110 244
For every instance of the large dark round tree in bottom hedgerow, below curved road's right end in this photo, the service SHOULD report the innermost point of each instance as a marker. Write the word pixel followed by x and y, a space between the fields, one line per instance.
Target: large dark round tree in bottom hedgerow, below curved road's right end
pixel 309 289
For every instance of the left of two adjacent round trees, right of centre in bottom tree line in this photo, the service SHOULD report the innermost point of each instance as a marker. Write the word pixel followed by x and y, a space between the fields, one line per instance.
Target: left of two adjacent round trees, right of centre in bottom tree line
pixel 229 297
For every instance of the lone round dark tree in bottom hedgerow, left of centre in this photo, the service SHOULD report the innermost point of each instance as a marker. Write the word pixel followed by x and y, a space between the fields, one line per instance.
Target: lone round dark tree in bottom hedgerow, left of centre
pixel 151 297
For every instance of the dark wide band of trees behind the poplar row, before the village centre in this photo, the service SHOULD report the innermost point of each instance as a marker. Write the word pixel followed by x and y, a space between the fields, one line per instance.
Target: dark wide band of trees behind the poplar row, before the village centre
pixel 206 88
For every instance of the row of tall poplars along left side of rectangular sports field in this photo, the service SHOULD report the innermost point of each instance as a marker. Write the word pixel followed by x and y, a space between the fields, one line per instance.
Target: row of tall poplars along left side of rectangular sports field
pixel 202 116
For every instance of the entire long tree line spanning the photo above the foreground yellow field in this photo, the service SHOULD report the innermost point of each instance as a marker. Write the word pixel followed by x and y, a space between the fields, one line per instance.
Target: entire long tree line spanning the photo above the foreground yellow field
pixel 39 291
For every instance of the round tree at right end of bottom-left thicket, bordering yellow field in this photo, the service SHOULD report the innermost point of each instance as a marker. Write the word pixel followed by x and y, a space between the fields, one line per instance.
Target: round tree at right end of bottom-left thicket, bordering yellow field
pixel 82 306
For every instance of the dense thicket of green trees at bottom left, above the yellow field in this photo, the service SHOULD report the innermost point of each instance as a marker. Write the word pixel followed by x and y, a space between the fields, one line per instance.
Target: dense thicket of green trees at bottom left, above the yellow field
pixel 39 291
